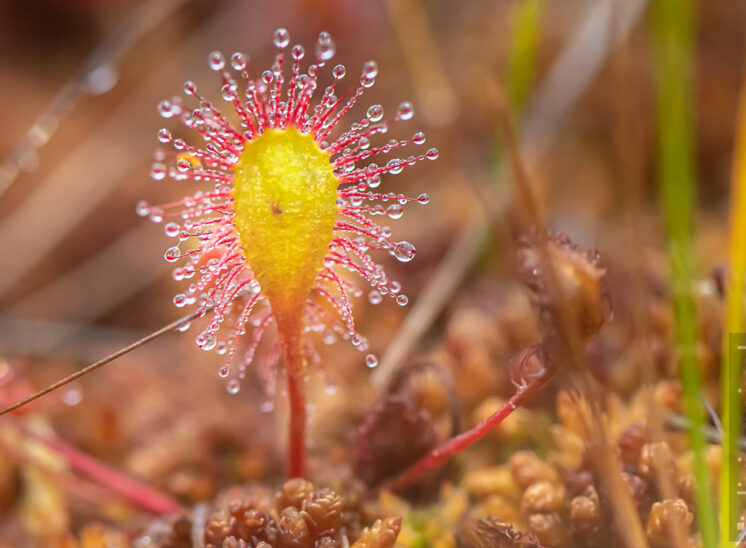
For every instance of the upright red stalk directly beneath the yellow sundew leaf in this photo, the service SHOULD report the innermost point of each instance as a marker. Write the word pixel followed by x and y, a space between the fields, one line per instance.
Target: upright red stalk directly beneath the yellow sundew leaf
pixel 297 400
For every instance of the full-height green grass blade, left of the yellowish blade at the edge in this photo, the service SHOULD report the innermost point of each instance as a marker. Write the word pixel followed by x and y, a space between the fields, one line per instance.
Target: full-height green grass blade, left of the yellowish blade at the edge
pixel 673 25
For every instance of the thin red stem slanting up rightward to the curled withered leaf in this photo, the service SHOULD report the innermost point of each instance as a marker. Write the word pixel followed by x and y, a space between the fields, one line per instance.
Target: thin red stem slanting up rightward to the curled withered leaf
pixel 438 456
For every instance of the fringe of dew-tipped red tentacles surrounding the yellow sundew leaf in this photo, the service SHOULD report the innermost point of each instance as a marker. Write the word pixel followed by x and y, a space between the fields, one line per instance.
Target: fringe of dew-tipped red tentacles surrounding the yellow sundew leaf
pixel 204 224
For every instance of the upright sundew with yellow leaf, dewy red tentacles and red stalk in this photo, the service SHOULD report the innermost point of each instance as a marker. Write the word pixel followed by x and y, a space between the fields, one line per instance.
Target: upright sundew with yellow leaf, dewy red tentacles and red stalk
pixel 291 206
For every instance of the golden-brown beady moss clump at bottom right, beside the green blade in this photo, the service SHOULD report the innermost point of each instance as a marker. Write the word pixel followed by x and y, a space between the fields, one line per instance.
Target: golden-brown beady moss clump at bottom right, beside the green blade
pixel 562 500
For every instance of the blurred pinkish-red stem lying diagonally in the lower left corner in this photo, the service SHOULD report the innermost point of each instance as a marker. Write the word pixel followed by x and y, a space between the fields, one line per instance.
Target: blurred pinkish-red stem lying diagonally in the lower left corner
pixel 141 495
